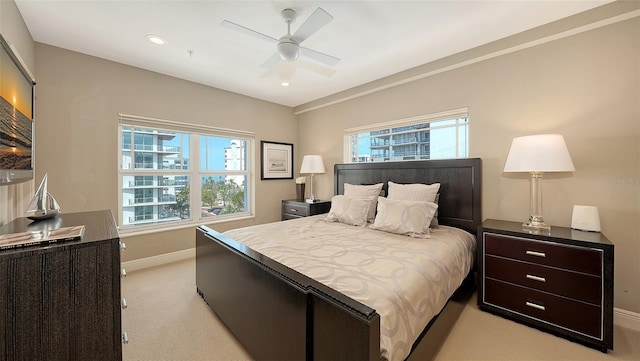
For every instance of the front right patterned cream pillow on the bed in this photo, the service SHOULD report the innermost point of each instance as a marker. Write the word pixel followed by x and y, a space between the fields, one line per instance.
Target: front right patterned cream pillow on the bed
pixel 410 218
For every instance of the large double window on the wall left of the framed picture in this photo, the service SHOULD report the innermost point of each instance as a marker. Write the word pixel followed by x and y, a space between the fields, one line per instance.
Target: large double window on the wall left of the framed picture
pixel 173 173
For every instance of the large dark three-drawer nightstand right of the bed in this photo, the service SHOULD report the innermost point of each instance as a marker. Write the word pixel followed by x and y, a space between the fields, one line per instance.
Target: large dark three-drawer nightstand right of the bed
pixel 560 281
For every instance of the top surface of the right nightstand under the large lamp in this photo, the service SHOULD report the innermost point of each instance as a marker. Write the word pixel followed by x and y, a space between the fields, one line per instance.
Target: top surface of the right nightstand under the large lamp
pixel 565 233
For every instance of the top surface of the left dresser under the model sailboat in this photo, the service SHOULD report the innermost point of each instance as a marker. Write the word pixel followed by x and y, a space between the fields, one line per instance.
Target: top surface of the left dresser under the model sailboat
pixel 99 226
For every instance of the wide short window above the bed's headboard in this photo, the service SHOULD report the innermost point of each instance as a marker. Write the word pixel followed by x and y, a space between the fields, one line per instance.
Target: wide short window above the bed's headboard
pixel 435 136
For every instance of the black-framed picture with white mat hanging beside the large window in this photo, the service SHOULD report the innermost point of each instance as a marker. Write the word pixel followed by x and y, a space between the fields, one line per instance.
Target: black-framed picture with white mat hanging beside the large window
pixel 276 160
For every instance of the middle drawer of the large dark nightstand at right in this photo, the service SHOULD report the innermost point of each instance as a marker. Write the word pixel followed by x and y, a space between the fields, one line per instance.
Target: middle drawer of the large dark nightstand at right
pixel 579 286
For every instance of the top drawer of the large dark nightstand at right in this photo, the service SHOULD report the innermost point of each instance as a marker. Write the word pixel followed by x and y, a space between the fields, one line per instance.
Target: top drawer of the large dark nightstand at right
pixel 545 253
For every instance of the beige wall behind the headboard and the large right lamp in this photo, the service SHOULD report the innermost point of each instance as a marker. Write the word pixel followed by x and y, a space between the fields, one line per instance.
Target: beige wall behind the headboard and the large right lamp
pixel 585 87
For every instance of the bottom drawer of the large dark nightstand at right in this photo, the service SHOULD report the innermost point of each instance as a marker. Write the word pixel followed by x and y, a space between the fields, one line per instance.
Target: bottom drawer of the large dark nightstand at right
pixel 577 316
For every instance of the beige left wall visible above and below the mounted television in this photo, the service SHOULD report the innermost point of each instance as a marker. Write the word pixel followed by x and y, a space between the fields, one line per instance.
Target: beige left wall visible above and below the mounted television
pixel 14 198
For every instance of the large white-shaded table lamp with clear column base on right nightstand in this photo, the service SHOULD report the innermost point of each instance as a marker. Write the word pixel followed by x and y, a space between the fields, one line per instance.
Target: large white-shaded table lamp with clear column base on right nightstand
pixel 538 154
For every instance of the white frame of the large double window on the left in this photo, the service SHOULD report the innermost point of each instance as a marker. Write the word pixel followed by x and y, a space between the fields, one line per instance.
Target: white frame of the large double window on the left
pixel 195 174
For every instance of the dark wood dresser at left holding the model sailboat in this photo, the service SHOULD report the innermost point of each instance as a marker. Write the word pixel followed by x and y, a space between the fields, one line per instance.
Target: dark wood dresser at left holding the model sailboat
pixel 62 301
